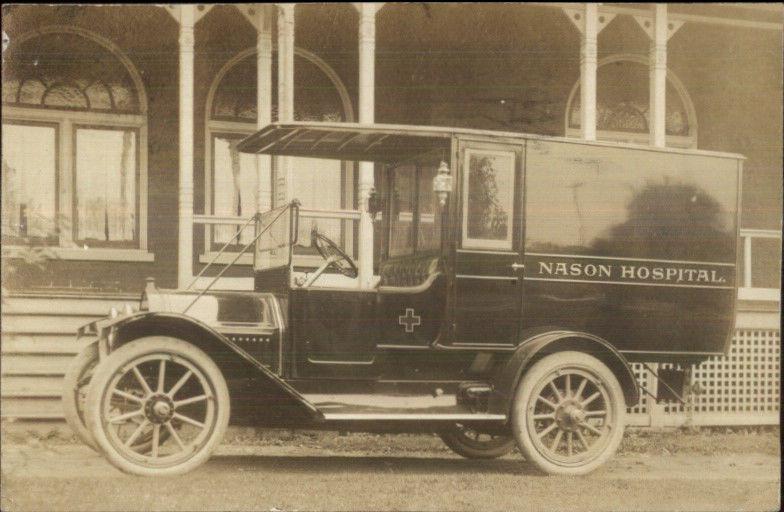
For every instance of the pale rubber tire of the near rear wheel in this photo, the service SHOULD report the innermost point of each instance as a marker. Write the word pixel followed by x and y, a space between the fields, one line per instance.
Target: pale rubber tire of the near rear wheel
pixel 538 371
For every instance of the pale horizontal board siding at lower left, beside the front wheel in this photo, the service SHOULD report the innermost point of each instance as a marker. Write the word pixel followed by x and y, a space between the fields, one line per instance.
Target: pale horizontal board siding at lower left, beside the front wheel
pixel 38 342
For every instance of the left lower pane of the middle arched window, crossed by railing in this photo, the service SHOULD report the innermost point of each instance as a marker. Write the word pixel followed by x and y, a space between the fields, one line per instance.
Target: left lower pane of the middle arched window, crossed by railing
pixel 235 187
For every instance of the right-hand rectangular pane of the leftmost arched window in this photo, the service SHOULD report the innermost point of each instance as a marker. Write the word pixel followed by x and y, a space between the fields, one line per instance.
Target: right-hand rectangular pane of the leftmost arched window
pixel 105 185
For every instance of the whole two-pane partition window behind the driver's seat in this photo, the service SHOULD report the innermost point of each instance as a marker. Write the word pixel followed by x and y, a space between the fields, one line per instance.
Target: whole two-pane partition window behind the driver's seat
pixel 414 222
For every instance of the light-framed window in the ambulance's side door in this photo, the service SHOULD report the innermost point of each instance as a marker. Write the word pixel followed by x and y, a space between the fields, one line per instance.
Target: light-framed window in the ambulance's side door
pixel 489 200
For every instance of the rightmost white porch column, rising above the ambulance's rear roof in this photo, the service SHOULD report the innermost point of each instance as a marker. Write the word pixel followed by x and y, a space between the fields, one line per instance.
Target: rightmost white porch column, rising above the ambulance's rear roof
pixel 658 76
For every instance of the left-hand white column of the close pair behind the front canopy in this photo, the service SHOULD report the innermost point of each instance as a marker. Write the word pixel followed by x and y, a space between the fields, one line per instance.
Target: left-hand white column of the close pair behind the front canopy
pixel 264 102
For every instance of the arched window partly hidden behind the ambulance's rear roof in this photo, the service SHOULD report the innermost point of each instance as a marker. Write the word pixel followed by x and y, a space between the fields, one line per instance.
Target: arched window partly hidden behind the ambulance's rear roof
pixel 622 104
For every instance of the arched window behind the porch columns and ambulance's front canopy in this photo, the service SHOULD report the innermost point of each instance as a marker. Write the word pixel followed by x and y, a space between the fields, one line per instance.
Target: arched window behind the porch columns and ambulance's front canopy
pixel 232 185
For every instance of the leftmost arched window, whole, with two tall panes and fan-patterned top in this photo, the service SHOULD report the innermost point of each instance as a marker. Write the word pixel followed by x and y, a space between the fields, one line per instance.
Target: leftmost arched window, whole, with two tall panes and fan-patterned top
pixel 74 144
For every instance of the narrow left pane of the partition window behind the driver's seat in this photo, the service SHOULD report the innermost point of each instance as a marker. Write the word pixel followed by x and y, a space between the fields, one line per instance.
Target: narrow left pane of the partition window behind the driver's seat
pixel 401 239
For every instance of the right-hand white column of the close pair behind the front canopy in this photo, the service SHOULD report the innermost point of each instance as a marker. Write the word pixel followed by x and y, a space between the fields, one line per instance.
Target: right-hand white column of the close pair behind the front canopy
pixel 282 168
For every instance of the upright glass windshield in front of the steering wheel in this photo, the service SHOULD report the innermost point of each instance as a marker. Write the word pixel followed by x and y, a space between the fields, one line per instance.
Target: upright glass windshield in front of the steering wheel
pixel 277 232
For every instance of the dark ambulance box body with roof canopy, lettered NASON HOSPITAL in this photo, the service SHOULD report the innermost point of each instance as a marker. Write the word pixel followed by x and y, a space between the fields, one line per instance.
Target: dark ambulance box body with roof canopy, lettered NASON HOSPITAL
pixel 633 244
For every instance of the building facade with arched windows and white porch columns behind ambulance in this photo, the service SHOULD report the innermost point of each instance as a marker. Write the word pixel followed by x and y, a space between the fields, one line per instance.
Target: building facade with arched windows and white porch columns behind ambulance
pixel 120 125
